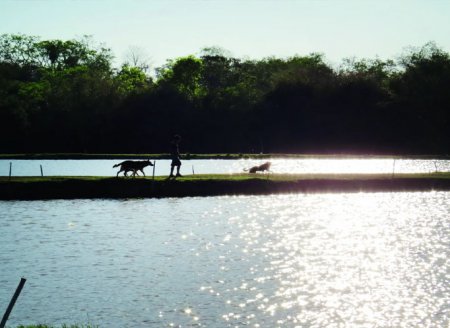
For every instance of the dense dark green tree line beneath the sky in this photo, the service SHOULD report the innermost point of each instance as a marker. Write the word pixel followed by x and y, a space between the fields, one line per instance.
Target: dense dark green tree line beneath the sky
pixel 68 96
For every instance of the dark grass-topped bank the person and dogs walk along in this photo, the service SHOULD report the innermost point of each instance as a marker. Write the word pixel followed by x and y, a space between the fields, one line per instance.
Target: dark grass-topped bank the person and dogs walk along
pixel 29 188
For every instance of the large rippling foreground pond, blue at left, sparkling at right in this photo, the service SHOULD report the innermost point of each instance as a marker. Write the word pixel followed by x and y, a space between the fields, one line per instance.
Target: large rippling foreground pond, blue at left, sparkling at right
pixel 320 260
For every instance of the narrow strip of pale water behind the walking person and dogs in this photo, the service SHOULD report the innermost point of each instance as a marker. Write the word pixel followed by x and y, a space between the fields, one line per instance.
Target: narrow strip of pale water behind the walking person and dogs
pixel 279 165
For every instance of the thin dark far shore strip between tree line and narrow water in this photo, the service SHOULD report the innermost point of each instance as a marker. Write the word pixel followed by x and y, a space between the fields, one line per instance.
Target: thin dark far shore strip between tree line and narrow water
pixel 233 156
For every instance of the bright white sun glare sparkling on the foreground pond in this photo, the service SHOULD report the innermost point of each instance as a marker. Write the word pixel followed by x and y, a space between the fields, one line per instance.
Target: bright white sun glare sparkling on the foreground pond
pixel 338 261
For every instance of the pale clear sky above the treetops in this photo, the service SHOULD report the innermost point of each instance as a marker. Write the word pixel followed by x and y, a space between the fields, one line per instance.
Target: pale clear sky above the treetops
pixel 247 28
